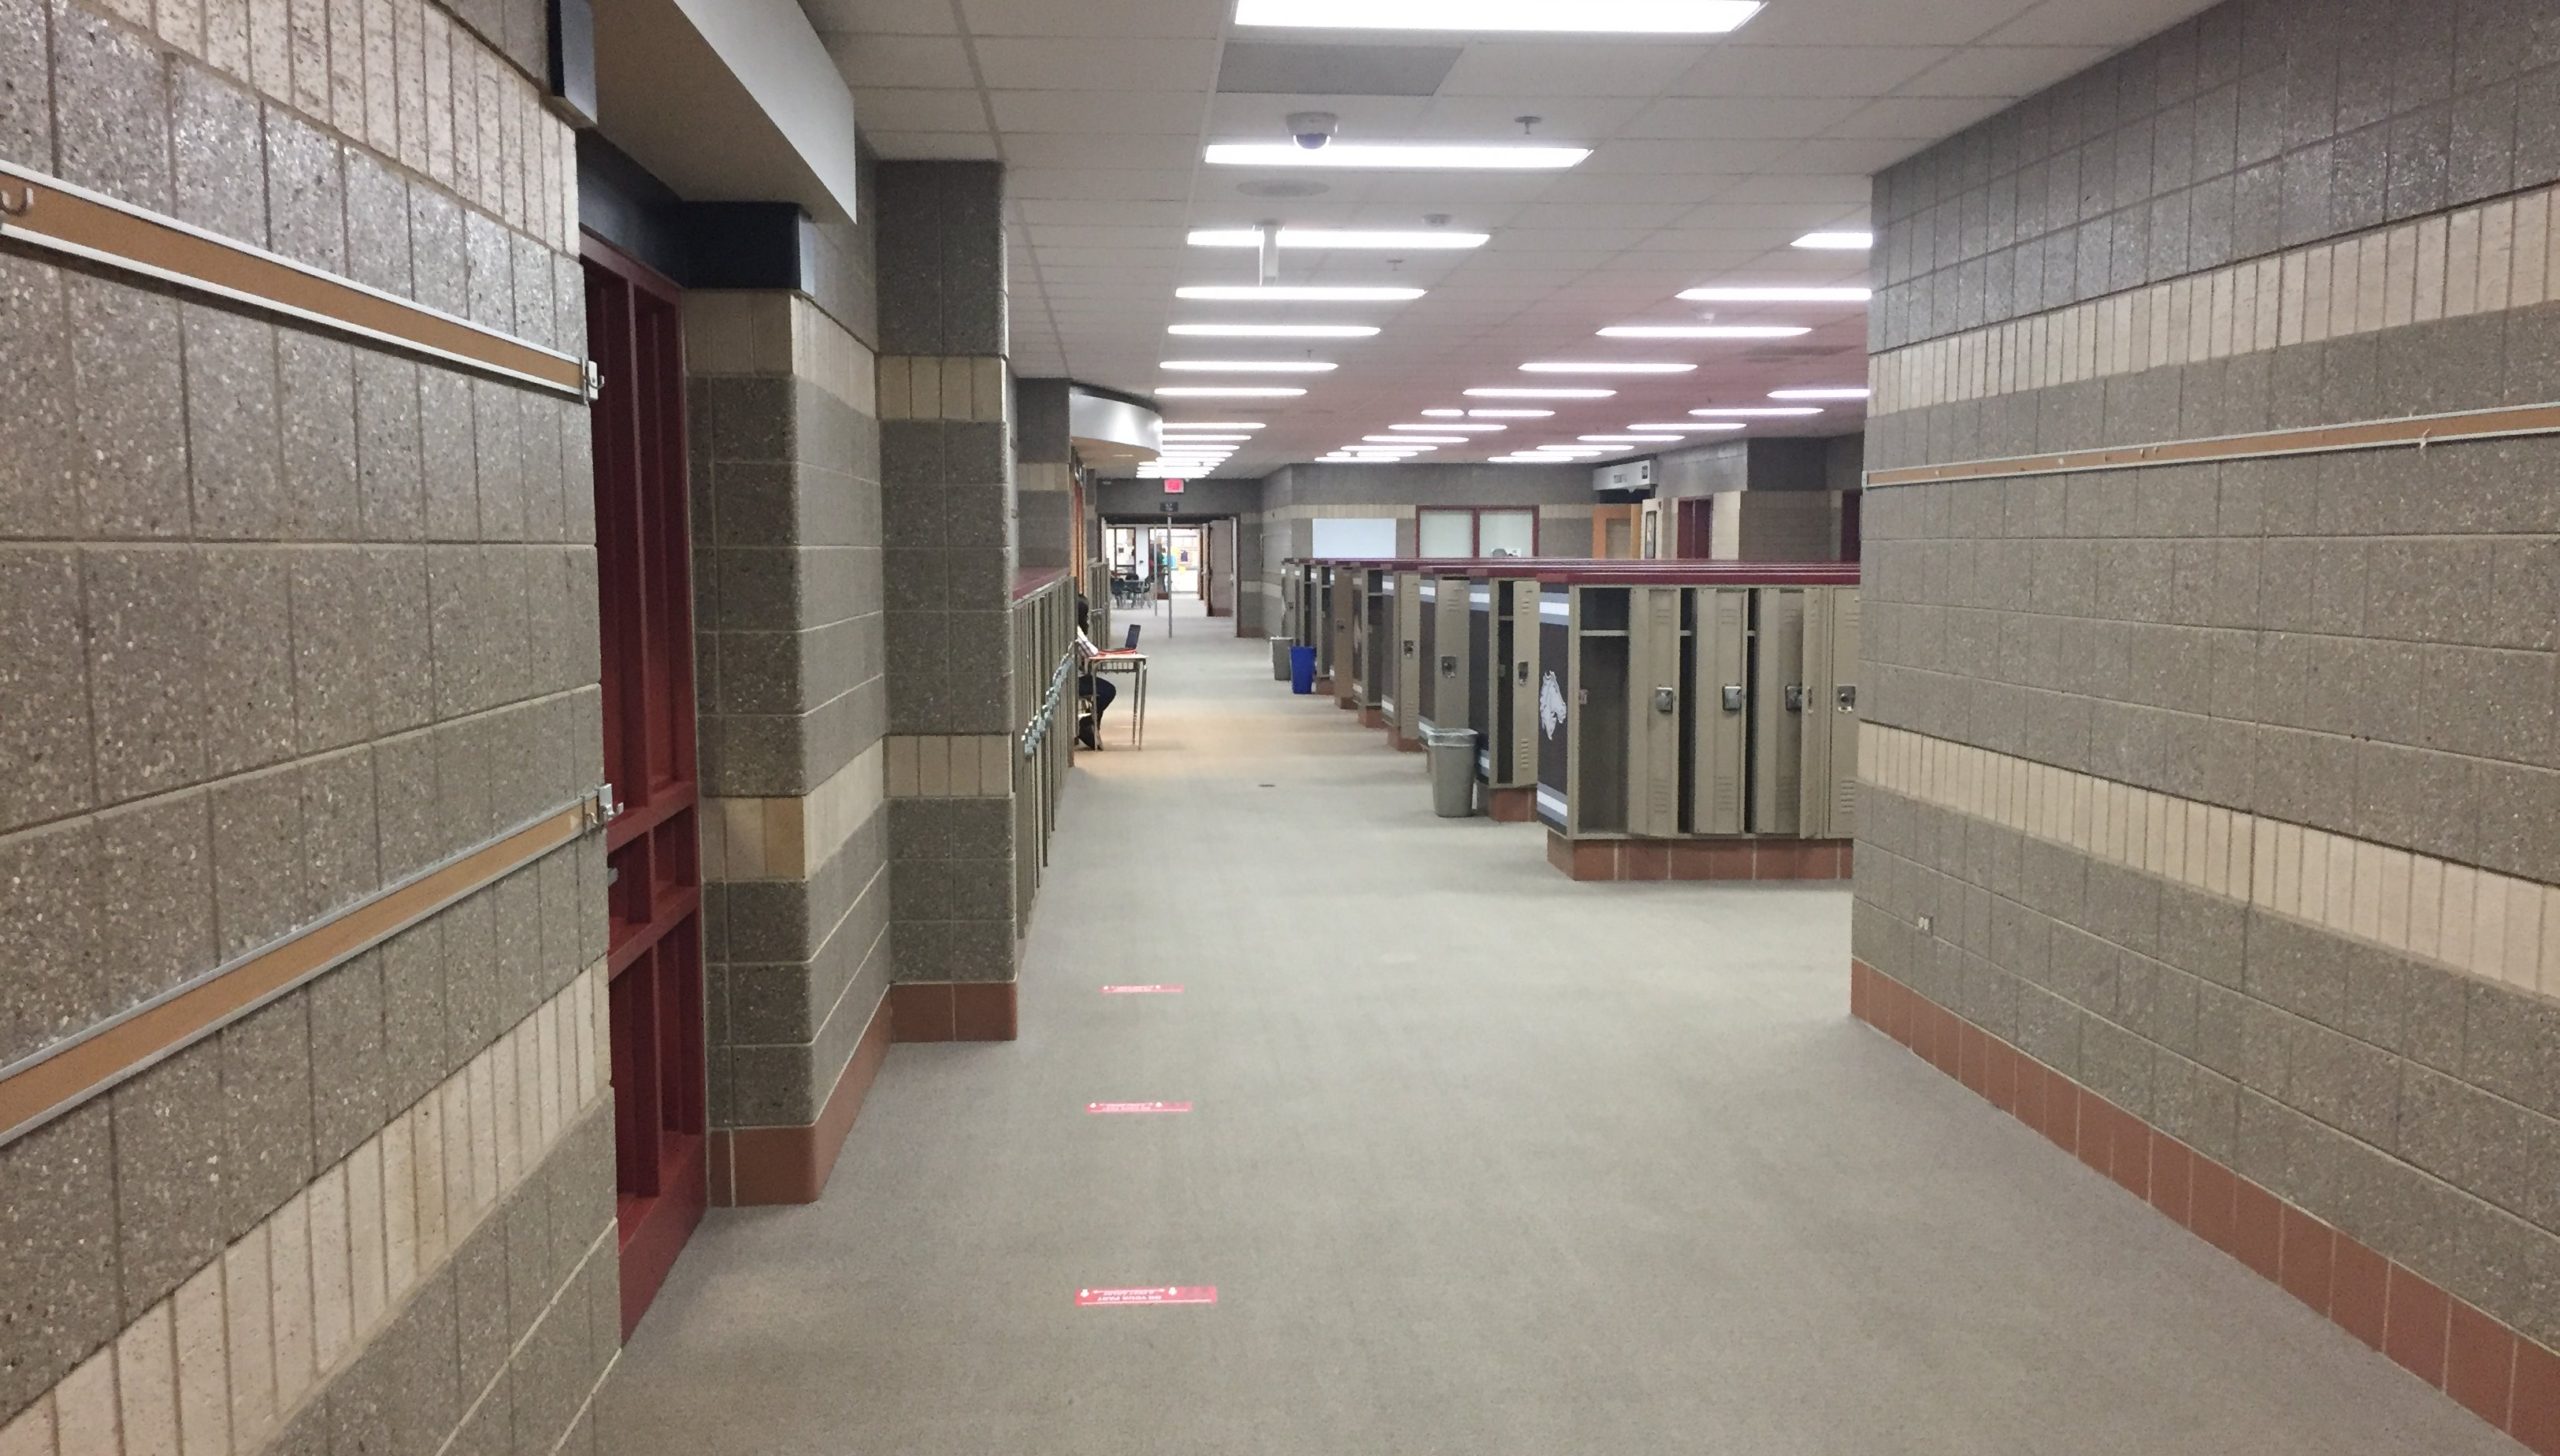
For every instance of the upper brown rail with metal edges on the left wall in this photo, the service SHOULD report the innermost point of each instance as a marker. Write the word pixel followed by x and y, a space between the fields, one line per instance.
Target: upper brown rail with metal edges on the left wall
pixel 122 237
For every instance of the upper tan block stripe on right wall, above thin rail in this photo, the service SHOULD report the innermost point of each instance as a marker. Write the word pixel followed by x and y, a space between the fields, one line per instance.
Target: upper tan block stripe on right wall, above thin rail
pixel 2477 260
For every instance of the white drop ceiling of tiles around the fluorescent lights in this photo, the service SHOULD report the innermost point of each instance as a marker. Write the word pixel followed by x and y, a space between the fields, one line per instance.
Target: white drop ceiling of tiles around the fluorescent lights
pixel 1709 160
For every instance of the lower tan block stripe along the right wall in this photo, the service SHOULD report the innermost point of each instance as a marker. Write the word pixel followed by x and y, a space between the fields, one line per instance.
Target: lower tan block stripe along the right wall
pixel 2451 915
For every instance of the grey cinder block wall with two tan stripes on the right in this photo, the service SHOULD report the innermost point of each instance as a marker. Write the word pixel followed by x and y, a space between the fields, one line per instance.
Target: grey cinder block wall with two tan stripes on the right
pixel 2231 792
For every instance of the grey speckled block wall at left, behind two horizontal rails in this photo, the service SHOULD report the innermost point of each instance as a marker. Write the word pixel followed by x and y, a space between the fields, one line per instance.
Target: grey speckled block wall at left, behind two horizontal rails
pixel 291 618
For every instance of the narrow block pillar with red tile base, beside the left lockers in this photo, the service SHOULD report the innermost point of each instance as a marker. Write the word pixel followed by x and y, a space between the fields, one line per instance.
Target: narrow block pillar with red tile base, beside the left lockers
pixel 951 549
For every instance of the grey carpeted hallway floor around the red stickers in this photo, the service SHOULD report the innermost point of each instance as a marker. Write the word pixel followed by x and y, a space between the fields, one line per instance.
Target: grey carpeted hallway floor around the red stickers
pixel 1481 1163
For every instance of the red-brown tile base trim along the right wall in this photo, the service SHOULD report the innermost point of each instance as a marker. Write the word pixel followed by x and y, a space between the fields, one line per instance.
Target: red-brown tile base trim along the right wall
pixel 2497 1373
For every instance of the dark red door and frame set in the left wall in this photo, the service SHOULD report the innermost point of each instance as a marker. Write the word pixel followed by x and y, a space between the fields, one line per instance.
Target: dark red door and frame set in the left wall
pixel 644 572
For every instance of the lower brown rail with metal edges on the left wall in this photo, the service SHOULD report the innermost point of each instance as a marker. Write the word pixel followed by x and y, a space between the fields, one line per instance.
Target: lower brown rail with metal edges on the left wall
pixel 65 1076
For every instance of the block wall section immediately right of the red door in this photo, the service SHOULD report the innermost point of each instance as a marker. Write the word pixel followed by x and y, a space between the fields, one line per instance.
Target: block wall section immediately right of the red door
pixel 792 710
